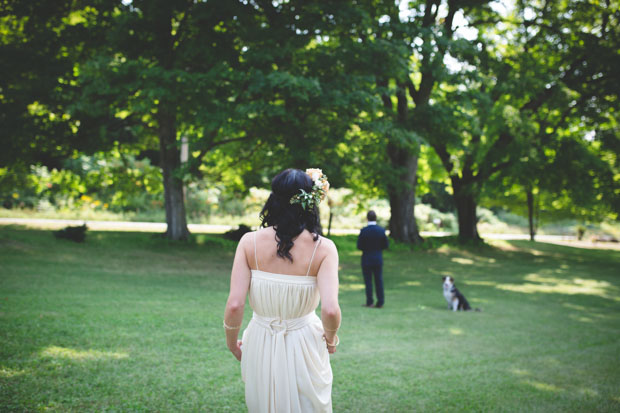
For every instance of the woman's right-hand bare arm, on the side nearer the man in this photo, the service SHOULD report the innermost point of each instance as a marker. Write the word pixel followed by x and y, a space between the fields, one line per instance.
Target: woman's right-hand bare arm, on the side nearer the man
pixel 327 279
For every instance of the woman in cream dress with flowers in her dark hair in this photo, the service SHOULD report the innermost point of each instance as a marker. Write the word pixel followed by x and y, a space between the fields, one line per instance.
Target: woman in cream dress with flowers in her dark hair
pixel 285 267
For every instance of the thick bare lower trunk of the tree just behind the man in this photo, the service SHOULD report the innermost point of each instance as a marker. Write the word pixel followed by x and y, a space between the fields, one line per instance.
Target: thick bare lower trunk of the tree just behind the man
pixel 401 194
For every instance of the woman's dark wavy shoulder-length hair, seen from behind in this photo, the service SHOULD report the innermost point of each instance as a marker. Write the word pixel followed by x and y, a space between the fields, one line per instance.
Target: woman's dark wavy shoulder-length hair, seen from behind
pixel 289 220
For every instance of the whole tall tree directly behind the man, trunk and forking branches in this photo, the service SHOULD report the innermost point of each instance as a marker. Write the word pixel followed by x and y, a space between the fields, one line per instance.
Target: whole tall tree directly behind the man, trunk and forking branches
pixel 408 46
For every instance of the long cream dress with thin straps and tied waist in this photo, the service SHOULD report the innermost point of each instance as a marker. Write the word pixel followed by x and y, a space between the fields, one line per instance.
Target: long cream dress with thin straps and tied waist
pixel 284 362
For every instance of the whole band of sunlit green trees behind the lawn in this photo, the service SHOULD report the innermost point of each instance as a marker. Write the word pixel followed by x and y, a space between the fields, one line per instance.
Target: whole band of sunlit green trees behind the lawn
pixel 464 102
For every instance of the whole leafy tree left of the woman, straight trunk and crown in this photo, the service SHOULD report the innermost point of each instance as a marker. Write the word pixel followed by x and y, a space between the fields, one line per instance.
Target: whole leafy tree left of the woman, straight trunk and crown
pixel 164 70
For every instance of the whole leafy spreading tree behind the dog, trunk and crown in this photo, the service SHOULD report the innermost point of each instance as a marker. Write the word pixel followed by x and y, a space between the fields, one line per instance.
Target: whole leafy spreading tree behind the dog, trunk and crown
pixel 520 84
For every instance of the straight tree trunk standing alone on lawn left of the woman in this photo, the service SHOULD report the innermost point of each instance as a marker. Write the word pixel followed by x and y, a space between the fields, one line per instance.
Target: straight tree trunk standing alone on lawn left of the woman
pixel 173 186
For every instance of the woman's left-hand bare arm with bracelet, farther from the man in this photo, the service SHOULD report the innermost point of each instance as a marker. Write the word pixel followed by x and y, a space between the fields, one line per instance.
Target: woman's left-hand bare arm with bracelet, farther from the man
pixel 239 285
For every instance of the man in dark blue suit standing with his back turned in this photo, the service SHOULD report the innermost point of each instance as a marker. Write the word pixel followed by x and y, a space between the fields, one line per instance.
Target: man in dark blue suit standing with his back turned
pixel 372 241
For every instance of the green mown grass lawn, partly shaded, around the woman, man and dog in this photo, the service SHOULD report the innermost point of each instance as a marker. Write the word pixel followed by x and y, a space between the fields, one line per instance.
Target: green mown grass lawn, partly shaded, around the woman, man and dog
pixel 130 322
